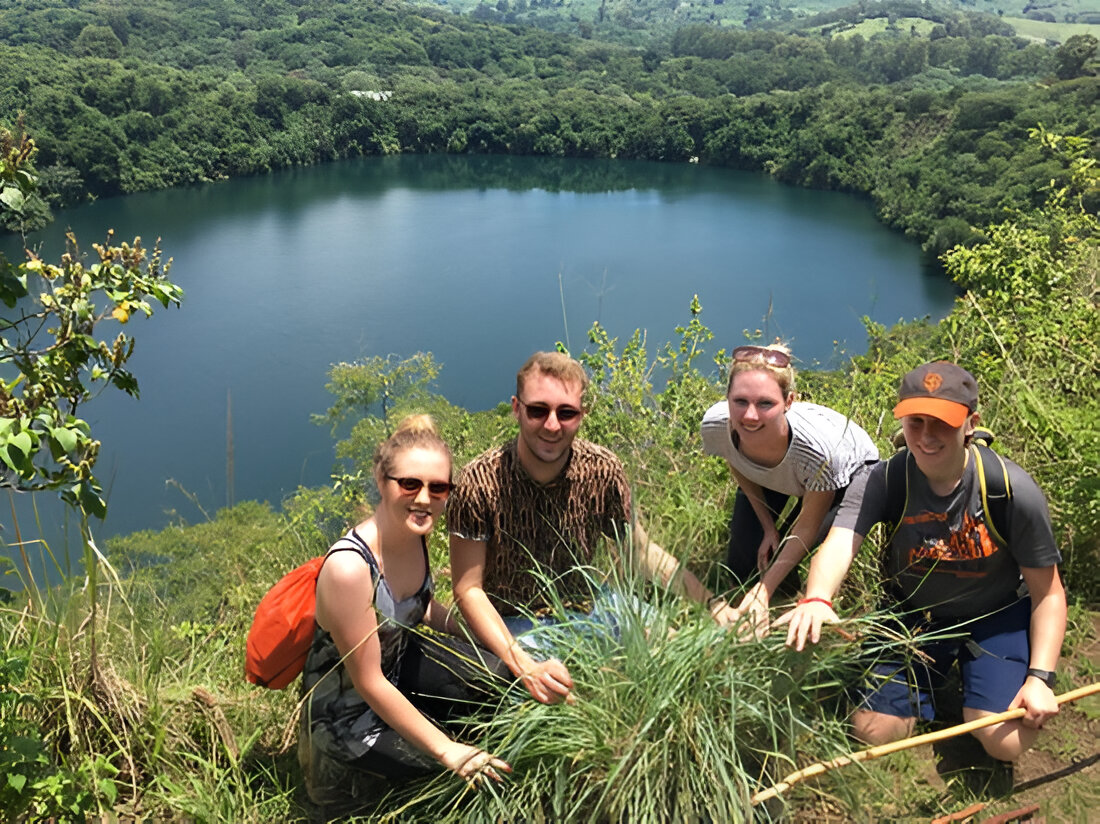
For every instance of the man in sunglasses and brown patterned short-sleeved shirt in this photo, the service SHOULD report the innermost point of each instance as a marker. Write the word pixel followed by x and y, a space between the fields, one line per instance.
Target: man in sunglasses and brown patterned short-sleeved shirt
pixel 535 511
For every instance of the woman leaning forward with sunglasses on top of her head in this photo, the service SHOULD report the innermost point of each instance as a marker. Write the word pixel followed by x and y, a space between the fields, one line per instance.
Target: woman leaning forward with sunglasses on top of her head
pixel 779 449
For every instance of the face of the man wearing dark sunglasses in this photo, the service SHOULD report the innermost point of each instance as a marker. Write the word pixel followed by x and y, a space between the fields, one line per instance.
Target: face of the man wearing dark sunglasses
pixel 545 440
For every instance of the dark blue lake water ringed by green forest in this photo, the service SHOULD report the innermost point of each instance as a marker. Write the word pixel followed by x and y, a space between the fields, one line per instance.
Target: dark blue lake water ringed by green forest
pixel 479 260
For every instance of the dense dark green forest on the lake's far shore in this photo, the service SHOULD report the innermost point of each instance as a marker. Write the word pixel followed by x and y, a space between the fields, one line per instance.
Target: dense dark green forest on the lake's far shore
pixel 933 127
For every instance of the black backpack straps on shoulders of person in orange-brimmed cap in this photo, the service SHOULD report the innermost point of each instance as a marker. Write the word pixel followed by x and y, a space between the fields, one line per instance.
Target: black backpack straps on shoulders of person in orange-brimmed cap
pixel 993 478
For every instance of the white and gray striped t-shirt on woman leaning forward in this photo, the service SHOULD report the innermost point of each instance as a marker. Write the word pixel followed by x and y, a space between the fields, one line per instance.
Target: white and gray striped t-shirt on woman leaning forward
pixel 826 451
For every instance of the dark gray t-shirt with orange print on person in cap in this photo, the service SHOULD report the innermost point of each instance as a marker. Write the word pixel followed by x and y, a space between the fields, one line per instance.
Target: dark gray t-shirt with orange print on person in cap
pixel 942 558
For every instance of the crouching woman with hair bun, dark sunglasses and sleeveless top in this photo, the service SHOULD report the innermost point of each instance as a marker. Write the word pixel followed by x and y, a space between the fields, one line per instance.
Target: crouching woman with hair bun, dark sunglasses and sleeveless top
pixel 377 693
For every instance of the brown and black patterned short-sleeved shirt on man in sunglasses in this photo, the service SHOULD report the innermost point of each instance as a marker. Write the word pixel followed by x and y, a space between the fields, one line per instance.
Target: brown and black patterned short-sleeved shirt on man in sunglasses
pixel 530 528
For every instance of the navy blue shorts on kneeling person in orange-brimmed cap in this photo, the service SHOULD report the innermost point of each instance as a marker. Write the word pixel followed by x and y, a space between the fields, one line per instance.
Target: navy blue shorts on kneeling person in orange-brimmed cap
pixel 993 654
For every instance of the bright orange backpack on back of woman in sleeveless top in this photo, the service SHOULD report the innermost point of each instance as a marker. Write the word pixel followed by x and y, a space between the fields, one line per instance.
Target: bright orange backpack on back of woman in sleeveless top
pixel 283 628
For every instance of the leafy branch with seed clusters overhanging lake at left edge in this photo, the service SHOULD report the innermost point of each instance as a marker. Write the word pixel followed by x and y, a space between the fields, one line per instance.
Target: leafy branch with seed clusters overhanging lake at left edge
pixel 51 357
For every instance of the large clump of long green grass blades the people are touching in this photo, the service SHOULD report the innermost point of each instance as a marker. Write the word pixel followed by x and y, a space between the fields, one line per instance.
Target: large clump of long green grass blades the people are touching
pixel 677 721
